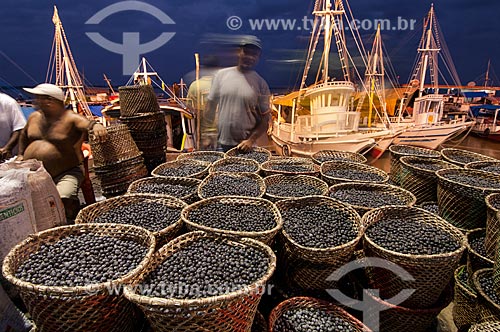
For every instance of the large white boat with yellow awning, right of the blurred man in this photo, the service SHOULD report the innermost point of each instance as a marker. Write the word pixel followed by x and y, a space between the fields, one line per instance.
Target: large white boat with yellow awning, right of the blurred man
pixel 323 116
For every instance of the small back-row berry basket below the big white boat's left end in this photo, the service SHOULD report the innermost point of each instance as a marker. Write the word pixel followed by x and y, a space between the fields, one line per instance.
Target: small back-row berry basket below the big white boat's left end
pixel 278 166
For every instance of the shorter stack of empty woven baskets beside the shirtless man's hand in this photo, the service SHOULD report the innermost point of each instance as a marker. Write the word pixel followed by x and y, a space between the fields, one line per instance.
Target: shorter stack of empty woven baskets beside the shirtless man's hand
pixel 117 161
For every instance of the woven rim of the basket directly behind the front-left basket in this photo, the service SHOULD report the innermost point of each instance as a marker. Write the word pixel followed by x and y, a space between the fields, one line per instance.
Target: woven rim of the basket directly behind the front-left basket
pixel 171 200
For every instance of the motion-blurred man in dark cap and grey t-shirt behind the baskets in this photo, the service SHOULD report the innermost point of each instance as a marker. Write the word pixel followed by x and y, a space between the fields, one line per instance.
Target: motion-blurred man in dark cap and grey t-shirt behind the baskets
pixel 240 97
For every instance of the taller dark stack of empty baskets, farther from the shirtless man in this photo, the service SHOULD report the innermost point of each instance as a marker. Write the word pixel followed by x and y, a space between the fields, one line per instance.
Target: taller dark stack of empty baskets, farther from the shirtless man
pixel 140 111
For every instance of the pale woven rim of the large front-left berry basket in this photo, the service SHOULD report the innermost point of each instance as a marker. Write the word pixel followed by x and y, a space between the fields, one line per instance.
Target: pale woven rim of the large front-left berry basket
pixel 67 290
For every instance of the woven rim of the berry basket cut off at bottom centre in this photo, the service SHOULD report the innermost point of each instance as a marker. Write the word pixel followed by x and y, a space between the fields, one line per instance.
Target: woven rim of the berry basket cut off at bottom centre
pixel 313 303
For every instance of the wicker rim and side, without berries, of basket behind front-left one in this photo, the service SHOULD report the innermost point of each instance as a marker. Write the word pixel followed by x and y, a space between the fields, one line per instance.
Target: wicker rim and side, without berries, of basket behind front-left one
pixel 89 213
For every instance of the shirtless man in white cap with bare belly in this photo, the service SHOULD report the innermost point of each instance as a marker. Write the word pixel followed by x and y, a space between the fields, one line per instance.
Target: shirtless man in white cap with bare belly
pixel 54 136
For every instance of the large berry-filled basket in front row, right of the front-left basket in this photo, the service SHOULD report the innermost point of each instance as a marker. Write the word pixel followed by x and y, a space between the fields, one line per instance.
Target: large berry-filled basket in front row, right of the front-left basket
pixel 219 293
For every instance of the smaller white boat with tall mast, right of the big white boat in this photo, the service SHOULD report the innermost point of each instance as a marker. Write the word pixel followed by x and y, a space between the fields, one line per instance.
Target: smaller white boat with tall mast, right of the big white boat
pixel 425 126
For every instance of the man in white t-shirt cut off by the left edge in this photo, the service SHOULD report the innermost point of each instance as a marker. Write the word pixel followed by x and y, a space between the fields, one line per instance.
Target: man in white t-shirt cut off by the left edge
pixel 11 122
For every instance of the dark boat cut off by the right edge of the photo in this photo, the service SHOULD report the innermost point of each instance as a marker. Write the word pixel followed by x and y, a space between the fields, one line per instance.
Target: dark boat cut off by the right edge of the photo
pixel 487 121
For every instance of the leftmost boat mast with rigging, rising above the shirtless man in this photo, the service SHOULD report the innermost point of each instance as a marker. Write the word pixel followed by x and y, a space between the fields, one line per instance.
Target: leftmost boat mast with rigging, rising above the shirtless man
pixel 67 75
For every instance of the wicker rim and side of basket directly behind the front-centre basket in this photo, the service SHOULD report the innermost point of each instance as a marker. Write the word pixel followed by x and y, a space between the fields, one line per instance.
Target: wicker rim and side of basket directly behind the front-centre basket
pixel 266 236
